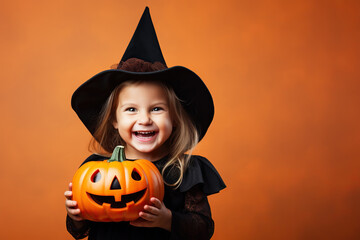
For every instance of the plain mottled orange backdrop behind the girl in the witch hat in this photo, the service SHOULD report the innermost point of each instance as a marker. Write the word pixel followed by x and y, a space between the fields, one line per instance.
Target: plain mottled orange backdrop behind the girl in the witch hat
pixel 284 76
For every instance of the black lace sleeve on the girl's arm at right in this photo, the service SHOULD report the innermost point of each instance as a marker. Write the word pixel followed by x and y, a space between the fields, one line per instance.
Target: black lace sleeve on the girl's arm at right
pixel 195 221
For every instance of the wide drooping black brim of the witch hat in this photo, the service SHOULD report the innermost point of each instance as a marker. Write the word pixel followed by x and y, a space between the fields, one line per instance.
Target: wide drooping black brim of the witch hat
pixel 88 100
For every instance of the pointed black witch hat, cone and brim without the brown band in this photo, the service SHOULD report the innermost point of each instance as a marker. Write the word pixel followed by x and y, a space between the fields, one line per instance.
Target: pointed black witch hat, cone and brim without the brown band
pixel 88 100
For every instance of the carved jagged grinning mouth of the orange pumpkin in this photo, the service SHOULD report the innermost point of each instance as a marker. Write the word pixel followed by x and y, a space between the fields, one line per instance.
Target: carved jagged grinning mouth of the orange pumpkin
pixel 111 199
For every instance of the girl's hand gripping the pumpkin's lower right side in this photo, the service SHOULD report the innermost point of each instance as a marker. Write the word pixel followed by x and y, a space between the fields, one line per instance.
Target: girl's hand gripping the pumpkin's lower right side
pixel 156 215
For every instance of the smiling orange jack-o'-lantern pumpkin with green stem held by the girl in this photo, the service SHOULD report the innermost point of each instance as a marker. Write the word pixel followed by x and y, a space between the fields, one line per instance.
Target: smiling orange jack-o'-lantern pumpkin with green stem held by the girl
pixel 116 190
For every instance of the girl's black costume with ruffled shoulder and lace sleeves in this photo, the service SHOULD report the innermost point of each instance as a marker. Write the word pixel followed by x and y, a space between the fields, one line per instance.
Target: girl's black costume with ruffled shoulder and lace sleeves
pixel 191 215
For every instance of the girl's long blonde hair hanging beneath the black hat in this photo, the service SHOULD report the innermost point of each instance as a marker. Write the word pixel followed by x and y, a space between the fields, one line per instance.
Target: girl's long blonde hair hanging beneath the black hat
pixel 183 138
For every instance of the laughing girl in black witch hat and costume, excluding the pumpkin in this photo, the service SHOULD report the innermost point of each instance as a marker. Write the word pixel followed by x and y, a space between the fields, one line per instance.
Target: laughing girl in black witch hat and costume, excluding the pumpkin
pixel 158 114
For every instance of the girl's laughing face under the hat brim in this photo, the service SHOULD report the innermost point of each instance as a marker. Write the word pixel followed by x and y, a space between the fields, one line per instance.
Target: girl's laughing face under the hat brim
pixel 143 120
